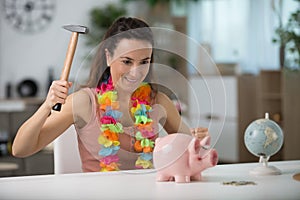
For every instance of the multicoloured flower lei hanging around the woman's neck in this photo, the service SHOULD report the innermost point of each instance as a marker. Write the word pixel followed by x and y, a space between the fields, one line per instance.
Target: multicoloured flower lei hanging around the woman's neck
pixel 111 126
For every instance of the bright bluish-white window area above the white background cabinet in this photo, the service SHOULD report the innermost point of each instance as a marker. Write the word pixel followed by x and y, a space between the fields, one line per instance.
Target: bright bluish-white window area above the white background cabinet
pixel 239 31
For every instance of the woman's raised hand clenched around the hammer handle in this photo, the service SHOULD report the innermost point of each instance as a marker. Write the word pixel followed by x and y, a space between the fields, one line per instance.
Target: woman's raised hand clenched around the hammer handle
pixel 58 92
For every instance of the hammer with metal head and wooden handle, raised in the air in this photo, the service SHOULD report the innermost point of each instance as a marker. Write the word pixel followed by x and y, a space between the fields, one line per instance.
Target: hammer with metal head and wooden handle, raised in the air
pixel 75 29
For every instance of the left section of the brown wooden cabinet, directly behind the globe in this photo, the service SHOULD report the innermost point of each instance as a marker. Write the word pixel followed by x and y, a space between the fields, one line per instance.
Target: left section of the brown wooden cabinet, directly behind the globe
pixel 259 94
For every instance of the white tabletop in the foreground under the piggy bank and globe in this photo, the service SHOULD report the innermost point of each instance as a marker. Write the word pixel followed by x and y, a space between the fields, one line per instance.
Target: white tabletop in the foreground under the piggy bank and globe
pixel 140 185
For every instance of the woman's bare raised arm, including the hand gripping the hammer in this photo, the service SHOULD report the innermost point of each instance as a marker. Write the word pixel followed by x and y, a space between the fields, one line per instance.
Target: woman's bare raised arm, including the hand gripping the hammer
pixel 43 126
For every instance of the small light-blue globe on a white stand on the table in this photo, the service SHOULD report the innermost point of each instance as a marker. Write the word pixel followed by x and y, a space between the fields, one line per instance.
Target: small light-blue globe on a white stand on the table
pixel 264 138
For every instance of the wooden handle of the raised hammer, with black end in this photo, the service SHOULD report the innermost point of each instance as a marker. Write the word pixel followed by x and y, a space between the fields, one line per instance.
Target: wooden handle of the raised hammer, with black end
pixel 68 62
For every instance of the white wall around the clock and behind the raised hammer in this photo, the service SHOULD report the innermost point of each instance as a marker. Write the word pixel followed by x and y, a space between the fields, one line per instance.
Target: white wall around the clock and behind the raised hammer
pixel 24 55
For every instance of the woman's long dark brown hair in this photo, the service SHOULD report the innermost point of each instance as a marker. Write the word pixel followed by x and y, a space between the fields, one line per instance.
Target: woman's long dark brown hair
pixel 129 28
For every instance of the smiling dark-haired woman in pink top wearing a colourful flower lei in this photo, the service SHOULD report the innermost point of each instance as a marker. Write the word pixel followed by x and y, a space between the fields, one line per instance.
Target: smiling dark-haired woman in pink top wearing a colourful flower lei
pixel 116 115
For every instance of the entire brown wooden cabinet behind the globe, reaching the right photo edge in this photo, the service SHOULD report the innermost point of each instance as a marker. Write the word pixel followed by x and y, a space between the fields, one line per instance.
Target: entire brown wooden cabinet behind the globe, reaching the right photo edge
pixel 277 93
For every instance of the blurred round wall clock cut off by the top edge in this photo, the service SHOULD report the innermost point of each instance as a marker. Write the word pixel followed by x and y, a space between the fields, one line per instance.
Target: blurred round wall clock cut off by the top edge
pixel 29 15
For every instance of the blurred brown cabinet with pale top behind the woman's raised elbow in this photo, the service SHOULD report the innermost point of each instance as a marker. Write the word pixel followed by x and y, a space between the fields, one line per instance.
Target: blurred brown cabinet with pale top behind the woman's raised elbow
pixel 13 113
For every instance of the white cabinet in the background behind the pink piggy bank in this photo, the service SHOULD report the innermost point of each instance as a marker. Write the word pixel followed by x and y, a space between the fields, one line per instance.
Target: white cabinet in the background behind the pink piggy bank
pixel 213 103
